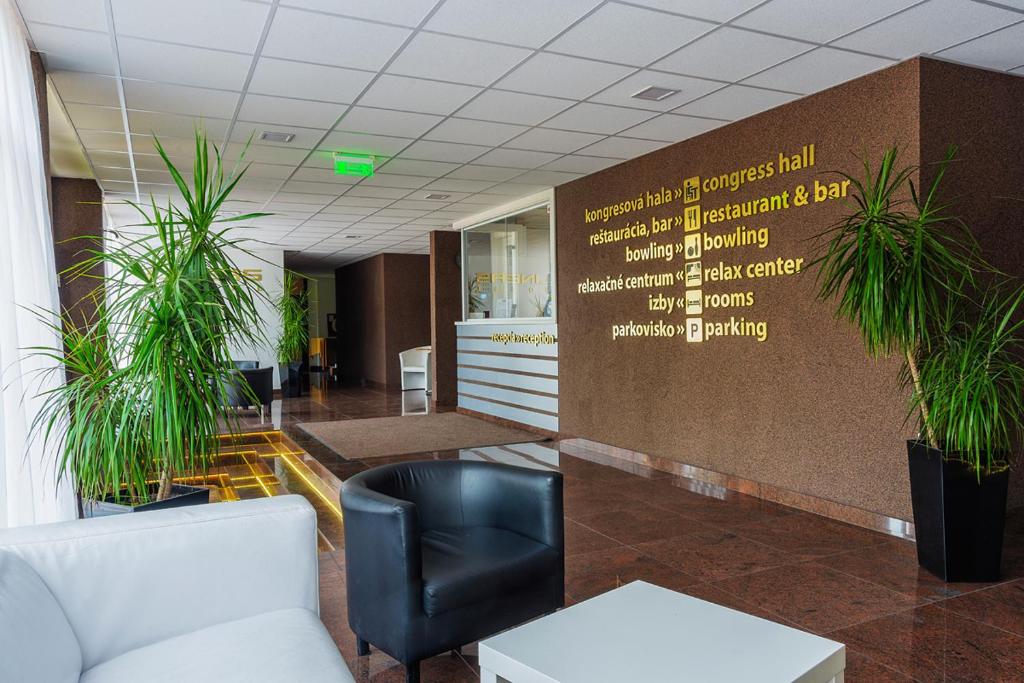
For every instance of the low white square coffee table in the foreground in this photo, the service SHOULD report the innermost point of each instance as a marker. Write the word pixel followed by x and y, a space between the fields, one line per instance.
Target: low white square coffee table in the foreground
pixel 643 633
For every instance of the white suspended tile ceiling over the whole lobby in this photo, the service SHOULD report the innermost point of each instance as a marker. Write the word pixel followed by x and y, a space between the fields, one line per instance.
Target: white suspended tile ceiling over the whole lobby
pixel 480 101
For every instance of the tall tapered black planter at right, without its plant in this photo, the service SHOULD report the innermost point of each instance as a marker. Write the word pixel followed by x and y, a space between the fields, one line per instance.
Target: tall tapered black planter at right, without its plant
pixel 959 522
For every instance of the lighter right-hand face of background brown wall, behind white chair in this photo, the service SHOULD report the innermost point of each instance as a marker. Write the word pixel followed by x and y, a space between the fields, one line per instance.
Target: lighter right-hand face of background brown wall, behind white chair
pixel 407 309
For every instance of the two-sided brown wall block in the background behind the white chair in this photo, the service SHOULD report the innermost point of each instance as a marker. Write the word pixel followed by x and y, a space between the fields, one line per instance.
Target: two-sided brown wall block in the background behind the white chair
pixel 383 308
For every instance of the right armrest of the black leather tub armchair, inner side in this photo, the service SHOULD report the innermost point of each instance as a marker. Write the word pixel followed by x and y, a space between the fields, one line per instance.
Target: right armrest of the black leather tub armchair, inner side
pixel 526 501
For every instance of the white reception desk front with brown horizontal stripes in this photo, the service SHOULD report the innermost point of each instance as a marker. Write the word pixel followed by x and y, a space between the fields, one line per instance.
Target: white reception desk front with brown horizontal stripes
pixel 510 371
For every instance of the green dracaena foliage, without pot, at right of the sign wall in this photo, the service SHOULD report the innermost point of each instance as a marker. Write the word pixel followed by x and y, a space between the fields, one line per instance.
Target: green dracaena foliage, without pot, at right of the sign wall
pixel 908 275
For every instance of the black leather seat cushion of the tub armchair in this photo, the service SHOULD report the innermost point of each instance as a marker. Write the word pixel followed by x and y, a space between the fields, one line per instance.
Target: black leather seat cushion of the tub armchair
pixel 463 567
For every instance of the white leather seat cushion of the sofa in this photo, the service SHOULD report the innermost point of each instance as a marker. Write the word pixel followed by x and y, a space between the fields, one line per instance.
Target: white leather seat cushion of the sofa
pixel 282 646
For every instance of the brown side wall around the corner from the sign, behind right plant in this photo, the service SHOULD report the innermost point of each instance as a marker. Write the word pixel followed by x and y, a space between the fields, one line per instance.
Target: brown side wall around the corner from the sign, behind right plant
pixel 983 113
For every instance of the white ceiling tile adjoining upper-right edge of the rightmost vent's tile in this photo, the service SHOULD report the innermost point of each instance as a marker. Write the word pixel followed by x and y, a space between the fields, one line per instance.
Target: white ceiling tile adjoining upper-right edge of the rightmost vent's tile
pixel 732 55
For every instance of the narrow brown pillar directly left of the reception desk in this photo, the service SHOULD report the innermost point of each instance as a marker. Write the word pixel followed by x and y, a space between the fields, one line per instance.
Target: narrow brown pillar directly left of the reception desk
pixel 446 310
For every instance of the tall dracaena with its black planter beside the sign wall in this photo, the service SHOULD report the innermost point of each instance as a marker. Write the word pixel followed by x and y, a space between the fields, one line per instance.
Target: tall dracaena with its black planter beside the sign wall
pixel 908 275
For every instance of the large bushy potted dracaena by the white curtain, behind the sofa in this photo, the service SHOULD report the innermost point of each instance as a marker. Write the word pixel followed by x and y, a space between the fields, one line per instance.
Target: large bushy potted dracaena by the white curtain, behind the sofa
pixel 141 413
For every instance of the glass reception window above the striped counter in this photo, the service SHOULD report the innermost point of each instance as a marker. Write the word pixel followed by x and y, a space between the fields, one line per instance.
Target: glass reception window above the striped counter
pixel 508 267
